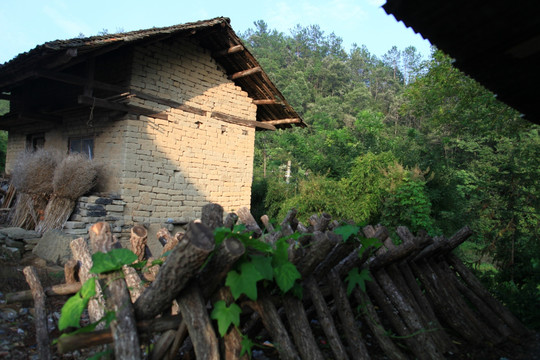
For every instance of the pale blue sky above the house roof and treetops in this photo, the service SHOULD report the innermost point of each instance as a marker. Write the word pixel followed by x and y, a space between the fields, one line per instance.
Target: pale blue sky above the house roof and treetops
pixel 27 23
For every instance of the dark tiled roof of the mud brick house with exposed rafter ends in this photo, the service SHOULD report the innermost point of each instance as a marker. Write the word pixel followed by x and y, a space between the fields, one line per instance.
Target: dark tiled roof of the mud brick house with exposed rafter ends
pixel 214 34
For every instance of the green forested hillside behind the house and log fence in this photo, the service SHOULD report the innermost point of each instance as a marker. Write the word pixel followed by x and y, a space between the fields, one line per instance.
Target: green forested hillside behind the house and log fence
pixel 403 140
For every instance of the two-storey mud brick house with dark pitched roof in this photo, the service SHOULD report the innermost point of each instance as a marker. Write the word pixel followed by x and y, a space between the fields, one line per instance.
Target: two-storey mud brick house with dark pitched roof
pixel 171 113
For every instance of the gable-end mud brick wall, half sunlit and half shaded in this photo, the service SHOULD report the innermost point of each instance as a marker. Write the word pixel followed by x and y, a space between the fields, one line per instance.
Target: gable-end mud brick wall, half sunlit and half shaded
pixel 175 167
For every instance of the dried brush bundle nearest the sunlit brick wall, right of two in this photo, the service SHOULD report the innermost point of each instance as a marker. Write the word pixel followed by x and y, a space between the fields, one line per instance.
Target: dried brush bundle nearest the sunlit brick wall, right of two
pixel 75 176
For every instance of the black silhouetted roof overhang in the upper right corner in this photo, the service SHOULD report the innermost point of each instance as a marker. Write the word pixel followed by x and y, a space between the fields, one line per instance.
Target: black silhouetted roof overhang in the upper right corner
pixel 495 42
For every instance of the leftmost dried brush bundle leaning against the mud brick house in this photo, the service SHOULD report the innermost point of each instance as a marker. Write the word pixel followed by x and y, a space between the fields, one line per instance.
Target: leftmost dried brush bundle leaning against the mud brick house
pixel 32 176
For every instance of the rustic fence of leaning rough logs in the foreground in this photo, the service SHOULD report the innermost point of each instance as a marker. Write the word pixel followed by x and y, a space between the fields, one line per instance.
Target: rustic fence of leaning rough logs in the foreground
pixel 422 301
